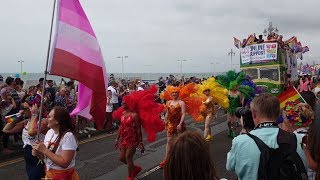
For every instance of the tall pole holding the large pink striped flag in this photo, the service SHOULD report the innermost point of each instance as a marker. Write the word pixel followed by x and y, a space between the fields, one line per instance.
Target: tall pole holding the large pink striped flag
pixel 46 72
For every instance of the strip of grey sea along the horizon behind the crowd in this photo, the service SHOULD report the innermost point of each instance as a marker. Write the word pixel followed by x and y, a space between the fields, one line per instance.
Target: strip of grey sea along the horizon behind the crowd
pixel 33 78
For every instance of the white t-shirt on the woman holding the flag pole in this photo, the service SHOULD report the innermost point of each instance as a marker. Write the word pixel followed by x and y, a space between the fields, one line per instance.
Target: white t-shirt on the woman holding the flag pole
pixel 68 142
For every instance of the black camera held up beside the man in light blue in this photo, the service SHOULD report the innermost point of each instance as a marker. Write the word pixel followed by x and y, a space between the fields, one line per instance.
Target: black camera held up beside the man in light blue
pixel 247 119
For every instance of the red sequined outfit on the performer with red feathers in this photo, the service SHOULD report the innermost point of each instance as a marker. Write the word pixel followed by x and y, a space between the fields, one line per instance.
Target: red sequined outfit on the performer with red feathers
pixel 128 132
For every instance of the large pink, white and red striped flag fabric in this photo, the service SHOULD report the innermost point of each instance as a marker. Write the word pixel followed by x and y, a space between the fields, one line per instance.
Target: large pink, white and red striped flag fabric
pixel 76 54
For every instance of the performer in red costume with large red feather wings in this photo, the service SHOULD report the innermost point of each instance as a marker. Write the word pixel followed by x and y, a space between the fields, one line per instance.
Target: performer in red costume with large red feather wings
pixel 138 109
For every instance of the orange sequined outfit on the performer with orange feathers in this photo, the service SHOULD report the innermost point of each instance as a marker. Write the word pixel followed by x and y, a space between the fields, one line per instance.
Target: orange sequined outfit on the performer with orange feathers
pixel 173 119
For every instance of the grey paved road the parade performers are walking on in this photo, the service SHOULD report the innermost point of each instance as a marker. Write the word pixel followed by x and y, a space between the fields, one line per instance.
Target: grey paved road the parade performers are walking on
pixel 98 160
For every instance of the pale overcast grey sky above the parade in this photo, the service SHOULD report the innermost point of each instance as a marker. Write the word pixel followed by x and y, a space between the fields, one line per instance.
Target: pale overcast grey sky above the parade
pixel 155 34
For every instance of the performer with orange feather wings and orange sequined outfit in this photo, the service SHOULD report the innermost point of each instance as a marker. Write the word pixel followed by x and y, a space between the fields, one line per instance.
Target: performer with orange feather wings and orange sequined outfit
pixel 179 101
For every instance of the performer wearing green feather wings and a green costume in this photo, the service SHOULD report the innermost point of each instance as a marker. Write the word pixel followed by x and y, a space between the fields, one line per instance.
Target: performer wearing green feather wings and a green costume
pixel 232 81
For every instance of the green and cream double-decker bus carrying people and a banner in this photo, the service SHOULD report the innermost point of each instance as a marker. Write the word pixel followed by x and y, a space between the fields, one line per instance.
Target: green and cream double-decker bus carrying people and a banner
pixel 269 61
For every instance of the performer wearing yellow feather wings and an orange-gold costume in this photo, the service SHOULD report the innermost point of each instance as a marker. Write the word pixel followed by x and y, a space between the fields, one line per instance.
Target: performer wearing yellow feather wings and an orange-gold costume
pixel 211 93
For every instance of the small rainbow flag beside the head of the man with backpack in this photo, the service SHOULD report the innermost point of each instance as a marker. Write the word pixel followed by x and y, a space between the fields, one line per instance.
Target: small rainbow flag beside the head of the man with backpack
pixel 289 95
